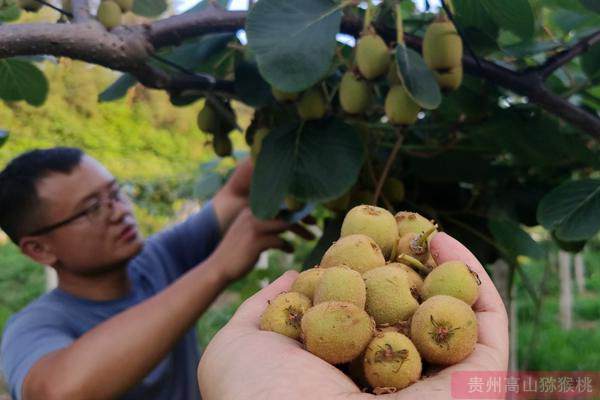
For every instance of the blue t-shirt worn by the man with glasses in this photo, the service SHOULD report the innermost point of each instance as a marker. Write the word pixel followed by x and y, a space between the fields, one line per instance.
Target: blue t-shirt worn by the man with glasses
pixel 57 318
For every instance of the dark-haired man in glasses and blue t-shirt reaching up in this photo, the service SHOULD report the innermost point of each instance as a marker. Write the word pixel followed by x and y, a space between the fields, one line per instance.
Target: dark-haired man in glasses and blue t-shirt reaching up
pixel 120 323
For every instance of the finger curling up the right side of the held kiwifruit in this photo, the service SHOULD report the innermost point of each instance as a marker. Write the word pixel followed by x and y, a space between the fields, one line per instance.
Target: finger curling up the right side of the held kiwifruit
pixel 489 308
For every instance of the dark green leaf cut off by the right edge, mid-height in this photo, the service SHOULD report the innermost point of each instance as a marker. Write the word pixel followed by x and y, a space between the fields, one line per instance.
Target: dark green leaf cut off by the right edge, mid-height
pixel 572 210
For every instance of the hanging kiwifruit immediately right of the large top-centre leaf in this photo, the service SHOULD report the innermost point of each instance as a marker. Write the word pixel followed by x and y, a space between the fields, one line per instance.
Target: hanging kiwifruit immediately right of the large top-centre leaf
pixel 372 56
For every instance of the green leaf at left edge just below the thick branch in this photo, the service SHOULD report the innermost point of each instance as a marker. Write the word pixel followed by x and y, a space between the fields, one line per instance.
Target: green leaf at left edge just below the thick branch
pixel 22 80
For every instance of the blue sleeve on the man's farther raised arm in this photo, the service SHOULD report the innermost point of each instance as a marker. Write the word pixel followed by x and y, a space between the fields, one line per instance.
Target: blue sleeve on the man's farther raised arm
pixel 191 241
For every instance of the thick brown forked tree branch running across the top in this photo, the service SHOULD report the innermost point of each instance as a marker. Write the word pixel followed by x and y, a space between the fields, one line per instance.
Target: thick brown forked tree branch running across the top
pixel 128 49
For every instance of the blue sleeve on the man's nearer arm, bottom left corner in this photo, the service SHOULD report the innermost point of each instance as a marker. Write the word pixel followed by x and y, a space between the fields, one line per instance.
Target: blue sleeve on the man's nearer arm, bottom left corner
pixel 26 339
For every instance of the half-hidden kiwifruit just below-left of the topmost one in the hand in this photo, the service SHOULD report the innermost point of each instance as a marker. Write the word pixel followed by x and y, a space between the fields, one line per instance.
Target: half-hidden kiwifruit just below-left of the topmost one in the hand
pixel 358 252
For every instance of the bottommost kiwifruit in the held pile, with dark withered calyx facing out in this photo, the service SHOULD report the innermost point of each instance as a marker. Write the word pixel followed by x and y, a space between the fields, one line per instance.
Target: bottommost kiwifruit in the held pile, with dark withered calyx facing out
pixel 392 361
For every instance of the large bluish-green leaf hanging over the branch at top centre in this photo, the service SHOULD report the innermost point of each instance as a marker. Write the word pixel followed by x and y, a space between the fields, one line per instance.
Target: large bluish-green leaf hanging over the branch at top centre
pixel 294 41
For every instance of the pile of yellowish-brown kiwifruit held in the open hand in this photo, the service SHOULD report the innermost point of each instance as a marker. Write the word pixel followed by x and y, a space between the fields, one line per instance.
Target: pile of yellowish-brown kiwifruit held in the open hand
pixel 378 306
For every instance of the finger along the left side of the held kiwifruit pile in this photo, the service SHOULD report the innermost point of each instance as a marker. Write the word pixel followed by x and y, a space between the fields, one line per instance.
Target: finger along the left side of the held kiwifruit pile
pixel 248 314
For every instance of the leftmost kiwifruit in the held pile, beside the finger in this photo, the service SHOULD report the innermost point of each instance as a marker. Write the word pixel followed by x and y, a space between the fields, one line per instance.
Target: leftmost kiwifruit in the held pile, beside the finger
pixel 284 314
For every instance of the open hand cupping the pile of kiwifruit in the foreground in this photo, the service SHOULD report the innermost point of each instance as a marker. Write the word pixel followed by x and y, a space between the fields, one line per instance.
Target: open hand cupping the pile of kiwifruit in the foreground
pixel 245 363
